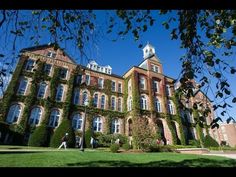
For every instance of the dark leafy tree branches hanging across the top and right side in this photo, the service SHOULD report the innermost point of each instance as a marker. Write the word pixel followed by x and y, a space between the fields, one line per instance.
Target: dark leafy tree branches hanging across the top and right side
pixel 202 33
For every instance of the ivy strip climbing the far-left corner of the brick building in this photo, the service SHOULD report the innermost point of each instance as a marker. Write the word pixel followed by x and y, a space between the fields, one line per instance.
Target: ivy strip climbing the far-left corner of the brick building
pixel 11 90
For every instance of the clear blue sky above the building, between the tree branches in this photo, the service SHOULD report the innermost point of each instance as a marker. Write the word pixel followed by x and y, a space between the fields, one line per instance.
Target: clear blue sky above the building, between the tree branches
pixel 124 53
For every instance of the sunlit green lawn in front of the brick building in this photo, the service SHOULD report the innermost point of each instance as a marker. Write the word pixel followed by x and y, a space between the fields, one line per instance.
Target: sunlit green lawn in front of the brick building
pixel 49 157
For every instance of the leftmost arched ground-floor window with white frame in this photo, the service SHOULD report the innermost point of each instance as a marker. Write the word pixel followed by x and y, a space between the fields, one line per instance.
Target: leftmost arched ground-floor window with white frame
pixel 14 113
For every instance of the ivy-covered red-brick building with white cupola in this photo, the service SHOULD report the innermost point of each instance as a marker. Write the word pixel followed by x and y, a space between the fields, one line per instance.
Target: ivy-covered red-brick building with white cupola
pixel 143 89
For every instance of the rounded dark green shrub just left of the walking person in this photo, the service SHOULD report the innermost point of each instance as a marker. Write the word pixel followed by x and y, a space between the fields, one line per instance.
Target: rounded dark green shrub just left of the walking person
pixel 39 137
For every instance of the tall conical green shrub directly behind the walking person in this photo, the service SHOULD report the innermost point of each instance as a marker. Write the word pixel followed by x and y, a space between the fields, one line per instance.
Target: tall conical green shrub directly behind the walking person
pixel 64 127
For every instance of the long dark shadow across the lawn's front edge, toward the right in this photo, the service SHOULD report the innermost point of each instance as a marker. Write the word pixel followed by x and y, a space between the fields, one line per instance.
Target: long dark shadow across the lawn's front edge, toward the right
pixel 201 162
